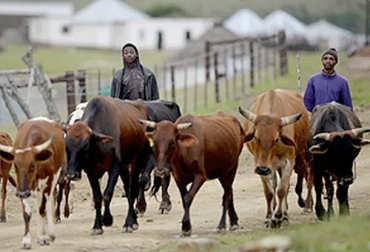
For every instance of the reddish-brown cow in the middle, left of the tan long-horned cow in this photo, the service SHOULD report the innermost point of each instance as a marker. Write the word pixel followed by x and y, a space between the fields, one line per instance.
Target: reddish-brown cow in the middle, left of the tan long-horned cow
pixel 196 149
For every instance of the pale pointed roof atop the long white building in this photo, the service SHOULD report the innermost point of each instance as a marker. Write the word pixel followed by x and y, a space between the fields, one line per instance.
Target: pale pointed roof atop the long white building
pixel 108 11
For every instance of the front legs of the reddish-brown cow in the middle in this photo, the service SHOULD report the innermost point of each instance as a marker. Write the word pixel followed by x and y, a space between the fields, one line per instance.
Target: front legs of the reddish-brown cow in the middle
pixel 187 199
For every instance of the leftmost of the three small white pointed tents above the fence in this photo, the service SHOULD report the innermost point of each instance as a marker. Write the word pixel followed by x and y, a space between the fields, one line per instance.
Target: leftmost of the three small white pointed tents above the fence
pixel 244 22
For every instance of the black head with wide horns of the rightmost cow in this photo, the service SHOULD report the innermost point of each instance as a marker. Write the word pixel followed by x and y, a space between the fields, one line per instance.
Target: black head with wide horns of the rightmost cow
pixel 341 148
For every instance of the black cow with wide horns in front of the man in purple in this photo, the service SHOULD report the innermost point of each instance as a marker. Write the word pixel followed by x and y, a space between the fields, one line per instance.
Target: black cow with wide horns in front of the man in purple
pixel 335 140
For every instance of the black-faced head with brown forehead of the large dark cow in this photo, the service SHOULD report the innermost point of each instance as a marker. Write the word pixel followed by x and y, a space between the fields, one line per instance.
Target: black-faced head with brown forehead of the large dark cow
pixel 79 139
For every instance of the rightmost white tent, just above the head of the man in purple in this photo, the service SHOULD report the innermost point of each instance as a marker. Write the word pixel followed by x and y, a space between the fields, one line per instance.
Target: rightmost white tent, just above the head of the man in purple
pixel 329 35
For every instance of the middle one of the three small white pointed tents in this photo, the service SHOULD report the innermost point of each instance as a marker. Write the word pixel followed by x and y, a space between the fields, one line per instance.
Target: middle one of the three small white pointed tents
pixel 281 20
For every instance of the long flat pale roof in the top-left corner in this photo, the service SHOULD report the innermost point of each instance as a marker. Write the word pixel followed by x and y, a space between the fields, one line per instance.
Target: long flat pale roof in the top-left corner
pixel 54 9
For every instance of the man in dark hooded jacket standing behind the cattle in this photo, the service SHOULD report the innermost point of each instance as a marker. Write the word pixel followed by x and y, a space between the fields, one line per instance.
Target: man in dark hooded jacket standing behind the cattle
pixel 133 81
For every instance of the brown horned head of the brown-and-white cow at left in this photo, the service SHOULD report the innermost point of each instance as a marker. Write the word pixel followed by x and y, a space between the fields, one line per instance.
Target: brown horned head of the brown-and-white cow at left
pixel 26 162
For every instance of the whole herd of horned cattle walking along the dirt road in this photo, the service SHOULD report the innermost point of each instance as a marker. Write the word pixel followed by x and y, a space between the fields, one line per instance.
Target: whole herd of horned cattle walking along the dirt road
pixel 130 139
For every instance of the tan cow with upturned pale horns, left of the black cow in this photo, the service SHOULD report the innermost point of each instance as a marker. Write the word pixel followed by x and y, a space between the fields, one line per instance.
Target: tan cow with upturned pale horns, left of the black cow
pixel 276 138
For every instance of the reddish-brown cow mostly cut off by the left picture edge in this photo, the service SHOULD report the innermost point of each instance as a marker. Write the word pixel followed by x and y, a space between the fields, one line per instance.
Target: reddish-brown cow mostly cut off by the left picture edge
pixel 5 167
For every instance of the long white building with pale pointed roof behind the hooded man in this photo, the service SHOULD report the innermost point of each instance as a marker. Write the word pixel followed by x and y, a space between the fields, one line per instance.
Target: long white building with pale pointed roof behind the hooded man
pixel 108 24
